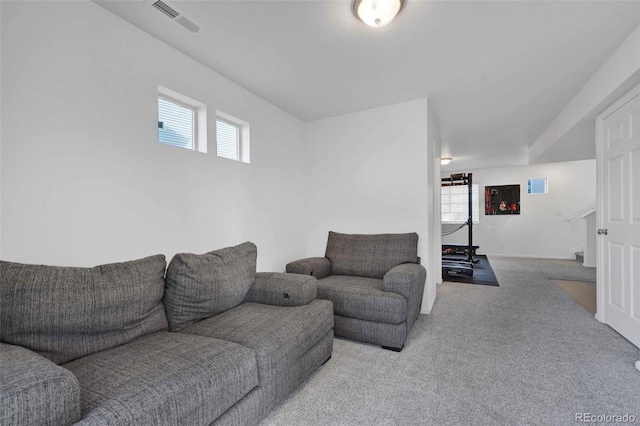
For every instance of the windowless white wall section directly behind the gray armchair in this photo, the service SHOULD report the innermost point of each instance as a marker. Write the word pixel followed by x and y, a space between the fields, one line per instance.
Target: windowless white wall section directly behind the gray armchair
pixel 369 173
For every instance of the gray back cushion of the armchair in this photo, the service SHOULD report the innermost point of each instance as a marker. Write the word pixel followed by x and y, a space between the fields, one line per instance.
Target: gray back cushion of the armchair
pixel 370 255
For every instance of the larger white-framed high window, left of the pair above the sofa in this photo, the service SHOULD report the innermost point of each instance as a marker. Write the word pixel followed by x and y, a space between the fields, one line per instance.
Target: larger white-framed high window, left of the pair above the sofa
pixel 181 121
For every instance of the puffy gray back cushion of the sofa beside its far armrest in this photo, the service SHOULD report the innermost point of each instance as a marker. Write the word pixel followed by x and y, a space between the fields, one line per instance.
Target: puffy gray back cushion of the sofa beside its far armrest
pixel 200 286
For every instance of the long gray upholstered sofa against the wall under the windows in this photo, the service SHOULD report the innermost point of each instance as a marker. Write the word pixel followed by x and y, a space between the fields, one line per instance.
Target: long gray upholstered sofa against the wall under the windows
pixel 209 342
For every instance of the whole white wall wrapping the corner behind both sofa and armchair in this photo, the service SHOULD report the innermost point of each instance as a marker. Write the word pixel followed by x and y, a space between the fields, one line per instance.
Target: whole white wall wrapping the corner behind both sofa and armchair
pixel 85 181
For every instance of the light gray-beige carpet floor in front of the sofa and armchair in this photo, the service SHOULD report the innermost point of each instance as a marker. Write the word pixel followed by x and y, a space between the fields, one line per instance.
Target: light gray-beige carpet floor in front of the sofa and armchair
pixel 524 353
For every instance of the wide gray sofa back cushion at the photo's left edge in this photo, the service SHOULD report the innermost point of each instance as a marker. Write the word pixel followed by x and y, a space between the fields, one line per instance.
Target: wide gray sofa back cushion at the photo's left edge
pixel 66 313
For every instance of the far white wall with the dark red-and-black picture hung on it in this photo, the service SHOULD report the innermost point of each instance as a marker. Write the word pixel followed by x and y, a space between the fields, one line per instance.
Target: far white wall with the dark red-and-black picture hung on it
pixel 542 229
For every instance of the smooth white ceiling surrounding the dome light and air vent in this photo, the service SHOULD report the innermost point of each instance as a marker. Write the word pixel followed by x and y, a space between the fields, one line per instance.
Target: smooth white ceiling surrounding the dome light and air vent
pixel 496 72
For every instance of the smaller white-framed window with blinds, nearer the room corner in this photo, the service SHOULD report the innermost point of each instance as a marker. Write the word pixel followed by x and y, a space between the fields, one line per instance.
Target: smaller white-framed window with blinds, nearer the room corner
pixel 232 137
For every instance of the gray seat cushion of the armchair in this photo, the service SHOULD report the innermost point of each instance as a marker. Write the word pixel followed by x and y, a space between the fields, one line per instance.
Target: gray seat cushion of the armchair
pixel 363 298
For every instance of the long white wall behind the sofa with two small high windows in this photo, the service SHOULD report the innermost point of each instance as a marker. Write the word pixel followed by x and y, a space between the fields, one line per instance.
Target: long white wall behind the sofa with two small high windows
pixel 84 179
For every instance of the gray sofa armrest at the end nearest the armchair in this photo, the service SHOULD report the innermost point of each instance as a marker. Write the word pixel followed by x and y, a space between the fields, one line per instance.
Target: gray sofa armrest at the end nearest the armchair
pixel 280 289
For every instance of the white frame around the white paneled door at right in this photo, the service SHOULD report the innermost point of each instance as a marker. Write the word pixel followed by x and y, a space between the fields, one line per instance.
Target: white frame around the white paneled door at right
pixel 600 287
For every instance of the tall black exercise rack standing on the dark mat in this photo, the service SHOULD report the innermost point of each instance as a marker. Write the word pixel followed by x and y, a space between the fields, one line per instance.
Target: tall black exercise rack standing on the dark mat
pixel 458 259
